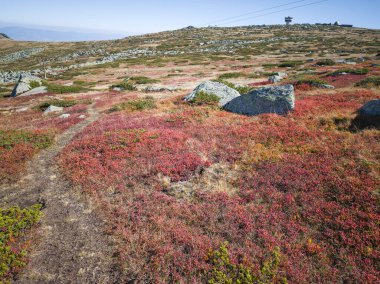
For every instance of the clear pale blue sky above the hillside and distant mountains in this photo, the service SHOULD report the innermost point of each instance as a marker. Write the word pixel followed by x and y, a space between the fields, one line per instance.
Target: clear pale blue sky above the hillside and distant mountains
pixel 141 16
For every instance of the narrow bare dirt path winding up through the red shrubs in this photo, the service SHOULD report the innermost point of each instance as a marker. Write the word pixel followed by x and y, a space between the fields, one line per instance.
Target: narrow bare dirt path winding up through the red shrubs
pixel 72 247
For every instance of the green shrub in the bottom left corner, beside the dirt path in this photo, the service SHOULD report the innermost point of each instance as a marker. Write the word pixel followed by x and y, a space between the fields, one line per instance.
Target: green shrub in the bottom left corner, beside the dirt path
pixel 14 224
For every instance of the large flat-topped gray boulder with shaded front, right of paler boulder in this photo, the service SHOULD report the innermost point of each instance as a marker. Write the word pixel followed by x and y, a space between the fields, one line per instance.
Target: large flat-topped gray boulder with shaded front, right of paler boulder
pixel 276 99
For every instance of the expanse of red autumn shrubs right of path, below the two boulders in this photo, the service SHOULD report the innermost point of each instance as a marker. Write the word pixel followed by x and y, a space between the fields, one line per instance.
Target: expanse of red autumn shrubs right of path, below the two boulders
pixel 303 187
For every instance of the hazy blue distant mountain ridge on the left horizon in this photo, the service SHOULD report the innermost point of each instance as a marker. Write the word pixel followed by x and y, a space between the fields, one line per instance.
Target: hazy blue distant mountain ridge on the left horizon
pixel 33 34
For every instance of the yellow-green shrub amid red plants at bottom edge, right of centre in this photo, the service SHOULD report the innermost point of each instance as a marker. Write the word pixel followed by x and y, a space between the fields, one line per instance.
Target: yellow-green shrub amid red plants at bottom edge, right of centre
pixel 224 271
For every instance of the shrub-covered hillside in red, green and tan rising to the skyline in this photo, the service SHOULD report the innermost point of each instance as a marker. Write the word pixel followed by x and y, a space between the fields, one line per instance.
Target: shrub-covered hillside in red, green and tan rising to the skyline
pixel 194 194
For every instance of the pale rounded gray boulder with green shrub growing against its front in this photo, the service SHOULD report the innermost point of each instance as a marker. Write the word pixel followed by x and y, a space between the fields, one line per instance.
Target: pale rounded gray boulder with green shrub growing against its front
pixel 225 93
